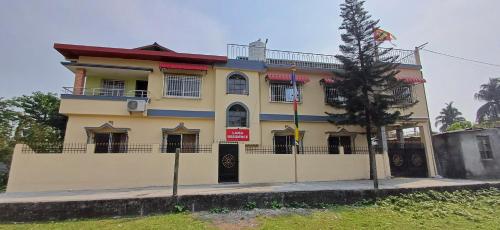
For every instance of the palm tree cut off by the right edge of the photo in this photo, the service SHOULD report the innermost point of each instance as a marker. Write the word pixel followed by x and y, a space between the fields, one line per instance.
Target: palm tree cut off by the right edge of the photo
pixel 490 93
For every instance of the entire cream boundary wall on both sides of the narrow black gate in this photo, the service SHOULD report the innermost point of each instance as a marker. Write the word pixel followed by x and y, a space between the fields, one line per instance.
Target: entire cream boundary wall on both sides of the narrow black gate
pixel 32 172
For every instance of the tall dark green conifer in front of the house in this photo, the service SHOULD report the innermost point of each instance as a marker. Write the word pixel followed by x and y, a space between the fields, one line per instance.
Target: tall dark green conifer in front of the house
pixel 368 81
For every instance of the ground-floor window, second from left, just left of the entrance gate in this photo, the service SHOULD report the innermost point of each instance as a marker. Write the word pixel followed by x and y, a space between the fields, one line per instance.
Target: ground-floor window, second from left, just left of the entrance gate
pixel 185 142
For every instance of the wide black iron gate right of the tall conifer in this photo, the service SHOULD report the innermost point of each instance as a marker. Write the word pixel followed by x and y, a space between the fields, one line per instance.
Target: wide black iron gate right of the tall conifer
pixel 407 160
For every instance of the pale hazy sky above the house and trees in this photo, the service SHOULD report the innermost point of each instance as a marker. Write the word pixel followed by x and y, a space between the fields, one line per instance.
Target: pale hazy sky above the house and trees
pixel 465 28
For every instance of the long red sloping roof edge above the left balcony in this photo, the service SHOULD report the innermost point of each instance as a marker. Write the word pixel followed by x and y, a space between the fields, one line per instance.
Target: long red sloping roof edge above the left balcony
pixel 75 51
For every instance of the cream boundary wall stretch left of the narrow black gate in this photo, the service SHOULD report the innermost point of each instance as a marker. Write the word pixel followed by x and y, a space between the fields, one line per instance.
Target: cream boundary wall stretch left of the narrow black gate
pixel 70 171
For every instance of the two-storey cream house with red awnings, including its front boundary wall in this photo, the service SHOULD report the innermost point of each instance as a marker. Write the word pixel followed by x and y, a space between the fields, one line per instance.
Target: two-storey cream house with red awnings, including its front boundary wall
pixel 238 107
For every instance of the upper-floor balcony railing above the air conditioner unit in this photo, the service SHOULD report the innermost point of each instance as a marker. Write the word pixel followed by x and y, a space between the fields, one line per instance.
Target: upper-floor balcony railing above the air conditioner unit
pixel 105 92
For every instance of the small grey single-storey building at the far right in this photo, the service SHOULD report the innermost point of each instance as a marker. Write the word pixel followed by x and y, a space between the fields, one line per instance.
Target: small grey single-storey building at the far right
pixel 473 153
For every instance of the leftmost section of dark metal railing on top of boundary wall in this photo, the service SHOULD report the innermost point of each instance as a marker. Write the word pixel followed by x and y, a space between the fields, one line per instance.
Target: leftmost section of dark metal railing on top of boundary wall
pixel 54 148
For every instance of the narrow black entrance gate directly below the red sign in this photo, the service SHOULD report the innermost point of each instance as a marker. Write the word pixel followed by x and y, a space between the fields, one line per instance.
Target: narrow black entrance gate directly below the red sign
pixel 228 163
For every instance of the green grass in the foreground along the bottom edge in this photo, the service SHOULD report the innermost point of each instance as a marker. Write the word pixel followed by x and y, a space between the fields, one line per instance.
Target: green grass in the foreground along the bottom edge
pixel 430 210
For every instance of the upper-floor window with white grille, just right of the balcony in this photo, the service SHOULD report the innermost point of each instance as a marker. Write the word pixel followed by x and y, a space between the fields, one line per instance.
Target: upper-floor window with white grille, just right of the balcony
pixel 182 86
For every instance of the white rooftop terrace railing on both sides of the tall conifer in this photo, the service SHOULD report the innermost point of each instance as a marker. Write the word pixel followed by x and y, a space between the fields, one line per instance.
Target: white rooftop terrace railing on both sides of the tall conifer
pixel 307 60
